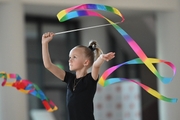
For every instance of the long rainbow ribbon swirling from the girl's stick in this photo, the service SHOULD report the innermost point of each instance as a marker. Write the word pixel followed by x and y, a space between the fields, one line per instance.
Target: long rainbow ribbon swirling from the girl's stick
pixel 90 10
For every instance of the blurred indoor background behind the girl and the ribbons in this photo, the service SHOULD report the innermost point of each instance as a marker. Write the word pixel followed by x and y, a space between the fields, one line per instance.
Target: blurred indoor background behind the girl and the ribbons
pixel 154 25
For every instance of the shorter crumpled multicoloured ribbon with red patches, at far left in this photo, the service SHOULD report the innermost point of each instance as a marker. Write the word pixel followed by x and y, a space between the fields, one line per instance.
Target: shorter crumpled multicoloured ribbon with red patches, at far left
pixel 27 87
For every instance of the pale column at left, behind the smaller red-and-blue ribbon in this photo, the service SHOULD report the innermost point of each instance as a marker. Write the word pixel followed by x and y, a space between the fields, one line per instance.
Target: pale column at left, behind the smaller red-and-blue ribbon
pixel 13 104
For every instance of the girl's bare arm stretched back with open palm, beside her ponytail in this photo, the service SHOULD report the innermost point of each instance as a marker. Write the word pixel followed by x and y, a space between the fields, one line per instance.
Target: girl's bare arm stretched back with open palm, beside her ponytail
pixel 97 64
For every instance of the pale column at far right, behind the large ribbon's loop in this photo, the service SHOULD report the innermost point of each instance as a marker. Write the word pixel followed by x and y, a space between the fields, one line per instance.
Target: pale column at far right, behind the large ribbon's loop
pixel 168 48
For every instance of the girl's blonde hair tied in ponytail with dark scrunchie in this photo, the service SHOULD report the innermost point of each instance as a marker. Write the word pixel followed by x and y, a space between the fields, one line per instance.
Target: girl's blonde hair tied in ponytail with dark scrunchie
pixel 92 51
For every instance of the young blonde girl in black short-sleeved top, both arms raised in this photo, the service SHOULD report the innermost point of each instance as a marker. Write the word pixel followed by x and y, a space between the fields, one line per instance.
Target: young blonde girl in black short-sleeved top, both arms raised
pixel 81 86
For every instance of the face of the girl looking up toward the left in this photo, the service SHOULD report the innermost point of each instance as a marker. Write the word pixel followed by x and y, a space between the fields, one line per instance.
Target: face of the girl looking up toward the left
pixel 76 59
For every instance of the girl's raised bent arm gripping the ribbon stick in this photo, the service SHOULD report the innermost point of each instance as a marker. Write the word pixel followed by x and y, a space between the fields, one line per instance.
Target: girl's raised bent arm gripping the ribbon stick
pixel 46 38
